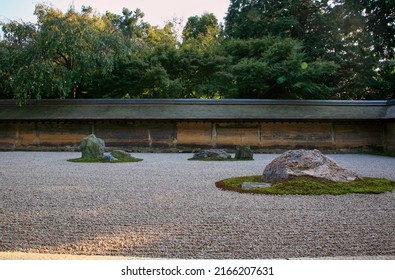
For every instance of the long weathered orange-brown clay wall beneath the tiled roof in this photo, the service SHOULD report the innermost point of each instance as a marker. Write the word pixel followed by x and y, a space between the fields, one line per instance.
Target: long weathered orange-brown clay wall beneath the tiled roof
pixel 188 135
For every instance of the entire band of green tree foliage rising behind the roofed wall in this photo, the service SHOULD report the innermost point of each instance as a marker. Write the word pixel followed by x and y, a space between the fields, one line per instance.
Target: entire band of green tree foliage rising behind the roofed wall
pixel 299 49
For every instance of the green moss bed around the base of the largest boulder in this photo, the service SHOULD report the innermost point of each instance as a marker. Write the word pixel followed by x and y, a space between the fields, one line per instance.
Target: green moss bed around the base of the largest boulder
pixel 311 187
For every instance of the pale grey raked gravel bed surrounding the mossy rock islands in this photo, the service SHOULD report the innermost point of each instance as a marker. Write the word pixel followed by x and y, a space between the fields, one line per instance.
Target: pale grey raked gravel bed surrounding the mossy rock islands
pixel 169 207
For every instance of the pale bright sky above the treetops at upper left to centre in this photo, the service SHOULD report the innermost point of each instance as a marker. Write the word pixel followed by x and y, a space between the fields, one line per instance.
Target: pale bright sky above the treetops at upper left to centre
pixel 157 12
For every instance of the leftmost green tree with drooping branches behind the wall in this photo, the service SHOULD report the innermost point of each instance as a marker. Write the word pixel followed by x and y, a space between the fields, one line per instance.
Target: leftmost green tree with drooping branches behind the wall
pixel 60 56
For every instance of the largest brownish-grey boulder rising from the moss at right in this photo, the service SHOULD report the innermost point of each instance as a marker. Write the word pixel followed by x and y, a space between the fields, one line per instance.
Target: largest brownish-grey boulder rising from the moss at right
pixel 306 163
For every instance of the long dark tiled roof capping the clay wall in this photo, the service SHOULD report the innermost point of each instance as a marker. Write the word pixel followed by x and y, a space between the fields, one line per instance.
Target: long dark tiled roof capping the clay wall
pixel 196 109
